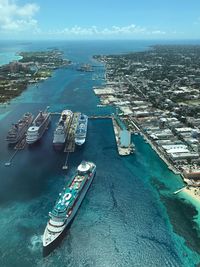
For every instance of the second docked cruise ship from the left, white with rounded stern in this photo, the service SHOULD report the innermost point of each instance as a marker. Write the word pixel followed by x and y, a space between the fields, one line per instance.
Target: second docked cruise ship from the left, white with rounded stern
pixel 38 127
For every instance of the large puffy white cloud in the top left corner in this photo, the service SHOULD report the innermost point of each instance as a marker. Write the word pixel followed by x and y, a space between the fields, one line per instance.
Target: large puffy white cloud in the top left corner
pixel 15 18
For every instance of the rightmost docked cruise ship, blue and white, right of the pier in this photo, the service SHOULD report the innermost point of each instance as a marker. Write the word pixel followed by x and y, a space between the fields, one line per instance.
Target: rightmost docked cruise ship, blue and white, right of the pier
pixel 81 130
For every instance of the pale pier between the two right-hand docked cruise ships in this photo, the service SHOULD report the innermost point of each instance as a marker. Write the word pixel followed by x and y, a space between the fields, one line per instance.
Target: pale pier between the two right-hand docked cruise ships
pixel 70 143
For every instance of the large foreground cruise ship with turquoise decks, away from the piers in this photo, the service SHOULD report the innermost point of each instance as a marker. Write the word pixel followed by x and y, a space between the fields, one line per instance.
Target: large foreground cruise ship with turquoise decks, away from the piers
pixel 68 202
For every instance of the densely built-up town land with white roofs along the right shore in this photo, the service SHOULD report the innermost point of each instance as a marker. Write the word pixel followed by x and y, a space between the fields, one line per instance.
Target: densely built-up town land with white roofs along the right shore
pixel 157 93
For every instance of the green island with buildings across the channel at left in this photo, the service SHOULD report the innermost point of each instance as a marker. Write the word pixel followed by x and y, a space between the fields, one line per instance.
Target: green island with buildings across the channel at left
pixel 33 67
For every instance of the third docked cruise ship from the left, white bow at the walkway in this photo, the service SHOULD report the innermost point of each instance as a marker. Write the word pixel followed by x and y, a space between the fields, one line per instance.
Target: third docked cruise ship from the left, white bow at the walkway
pixel 60 133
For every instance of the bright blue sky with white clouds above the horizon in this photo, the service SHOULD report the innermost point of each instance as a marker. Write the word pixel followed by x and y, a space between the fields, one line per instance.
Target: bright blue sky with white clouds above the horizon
pixel 99 19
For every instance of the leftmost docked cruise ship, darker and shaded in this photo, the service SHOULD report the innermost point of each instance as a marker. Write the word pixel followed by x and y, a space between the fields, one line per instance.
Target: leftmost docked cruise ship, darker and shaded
pixel 19 129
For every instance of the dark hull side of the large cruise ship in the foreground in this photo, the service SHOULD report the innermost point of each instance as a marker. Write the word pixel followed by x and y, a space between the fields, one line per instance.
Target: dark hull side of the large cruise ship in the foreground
pixel 49 247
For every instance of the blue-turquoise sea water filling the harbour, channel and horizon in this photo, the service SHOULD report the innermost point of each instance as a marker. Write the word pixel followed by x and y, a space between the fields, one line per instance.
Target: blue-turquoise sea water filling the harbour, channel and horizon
pixel 129 217
